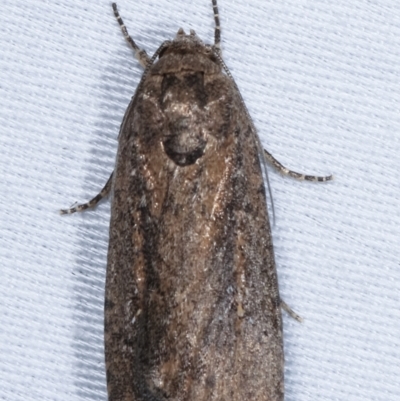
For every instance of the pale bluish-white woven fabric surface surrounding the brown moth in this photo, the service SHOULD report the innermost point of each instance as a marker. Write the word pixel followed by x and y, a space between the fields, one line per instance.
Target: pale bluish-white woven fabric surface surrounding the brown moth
pixel 321 80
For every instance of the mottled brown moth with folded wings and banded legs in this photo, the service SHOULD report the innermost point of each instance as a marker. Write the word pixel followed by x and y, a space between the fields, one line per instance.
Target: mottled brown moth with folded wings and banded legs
pixel 192 309
